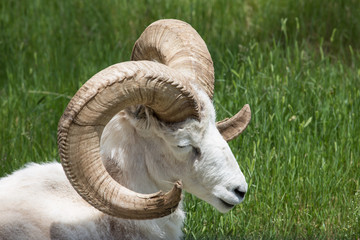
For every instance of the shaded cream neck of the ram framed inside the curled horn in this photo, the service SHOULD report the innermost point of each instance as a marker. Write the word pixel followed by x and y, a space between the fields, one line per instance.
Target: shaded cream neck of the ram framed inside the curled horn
pixel 124 154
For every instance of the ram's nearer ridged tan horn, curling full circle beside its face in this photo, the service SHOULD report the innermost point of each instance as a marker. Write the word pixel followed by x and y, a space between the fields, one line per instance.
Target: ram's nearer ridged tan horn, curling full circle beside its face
pixel 93 106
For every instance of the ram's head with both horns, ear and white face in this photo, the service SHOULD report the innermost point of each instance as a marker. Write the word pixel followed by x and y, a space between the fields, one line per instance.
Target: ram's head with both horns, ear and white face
pixel 172 74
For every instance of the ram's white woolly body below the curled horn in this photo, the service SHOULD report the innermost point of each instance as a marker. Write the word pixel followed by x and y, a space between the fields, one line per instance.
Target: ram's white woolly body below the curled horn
pixel 38 202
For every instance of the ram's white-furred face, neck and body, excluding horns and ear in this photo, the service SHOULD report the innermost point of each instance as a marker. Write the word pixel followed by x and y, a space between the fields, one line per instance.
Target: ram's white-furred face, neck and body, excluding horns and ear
pixel 143 154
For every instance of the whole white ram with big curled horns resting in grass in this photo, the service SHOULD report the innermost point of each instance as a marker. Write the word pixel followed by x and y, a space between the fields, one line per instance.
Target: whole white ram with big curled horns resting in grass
pixel 141 125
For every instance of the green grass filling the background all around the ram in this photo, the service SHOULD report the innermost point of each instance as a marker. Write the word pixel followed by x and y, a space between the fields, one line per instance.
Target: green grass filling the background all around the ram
pixel 297 63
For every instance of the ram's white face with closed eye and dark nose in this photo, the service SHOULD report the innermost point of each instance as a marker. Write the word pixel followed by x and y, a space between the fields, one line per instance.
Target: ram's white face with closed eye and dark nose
pixel 206 164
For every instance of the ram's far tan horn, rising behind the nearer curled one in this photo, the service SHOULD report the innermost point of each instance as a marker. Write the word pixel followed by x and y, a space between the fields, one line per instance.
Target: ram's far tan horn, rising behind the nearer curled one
pixel 177 45
